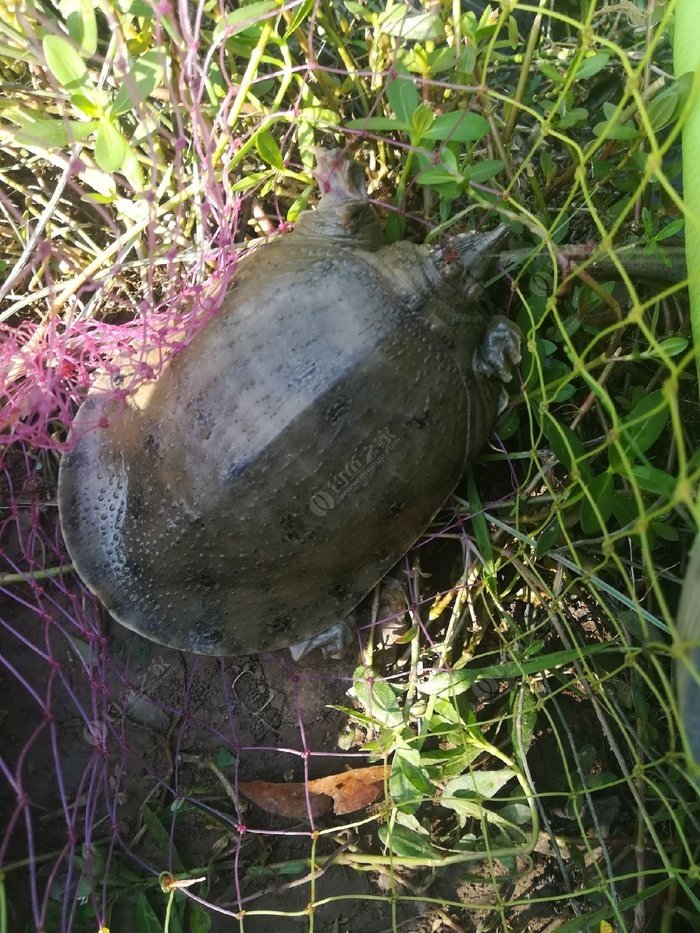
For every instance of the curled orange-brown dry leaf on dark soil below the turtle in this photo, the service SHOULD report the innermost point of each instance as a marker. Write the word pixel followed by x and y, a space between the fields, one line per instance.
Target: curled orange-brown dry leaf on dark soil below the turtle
pixel 345 792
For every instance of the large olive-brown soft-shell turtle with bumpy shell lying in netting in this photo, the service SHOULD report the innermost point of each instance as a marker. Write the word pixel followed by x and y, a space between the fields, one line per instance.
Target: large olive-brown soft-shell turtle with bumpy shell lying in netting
pixel 279 466
